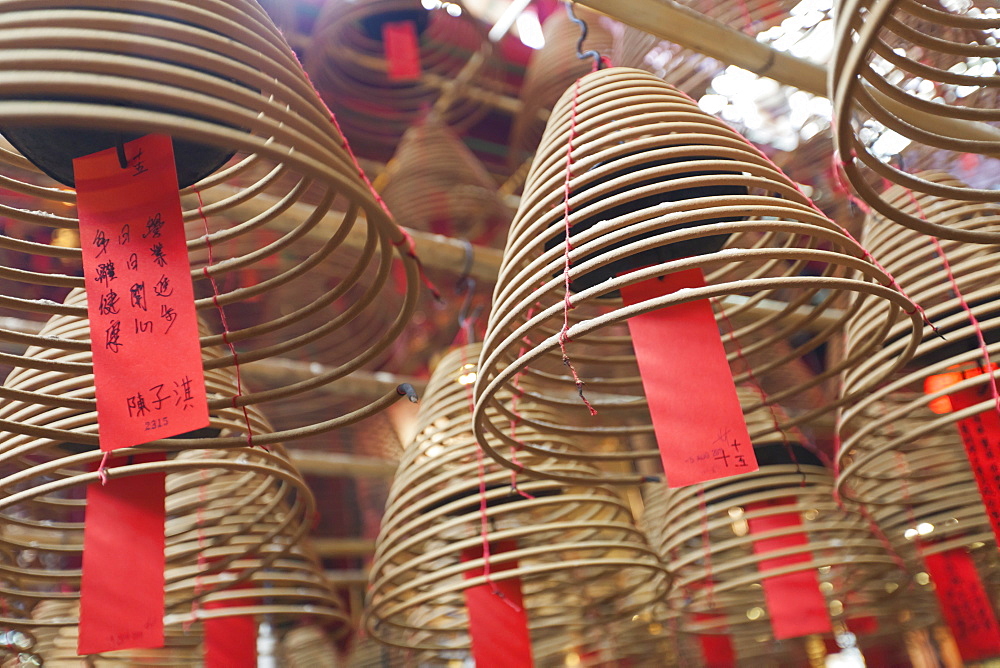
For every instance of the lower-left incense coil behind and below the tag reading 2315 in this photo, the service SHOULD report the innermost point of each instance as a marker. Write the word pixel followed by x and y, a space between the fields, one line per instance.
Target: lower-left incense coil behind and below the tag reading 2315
pixel 242 506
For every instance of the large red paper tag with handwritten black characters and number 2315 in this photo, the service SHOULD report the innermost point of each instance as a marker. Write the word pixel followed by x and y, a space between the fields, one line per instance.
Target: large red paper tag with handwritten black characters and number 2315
pixel 140 300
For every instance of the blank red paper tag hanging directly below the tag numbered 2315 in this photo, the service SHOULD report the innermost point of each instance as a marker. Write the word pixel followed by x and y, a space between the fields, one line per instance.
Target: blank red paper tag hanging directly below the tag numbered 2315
pixel 122 583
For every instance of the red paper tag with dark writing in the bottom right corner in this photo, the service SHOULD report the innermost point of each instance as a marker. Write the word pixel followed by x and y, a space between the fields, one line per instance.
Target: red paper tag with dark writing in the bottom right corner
pixel 965 604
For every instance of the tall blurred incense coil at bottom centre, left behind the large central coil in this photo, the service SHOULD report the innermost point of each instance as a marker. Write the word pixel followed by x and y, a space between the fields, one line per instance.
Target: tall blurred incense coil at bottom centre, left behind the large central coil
pixel 575 550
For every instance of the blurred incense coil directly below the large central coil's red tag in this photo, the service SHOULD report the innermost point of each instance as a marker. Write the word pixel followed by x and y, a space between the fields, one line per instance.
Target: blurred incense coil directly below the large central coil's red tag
pixel 708 547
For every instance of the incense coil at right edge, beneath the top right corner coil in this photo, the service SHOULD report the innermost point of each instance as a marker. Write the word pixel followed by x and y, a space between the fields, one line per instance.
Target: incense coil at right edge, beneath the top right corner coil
pixel 901 443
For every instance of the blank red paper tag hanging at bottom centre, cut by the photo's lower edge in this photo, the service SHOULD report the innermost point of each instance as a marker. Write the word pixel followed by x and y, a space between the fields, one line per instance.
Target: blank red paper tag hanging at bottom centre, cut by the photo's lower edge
pixel 498 625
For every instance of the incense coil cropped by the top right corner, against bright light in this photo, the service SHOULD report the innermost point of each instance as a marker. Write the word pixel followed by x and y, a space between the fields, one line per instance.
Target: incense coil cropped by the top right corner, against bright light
pixel 928 74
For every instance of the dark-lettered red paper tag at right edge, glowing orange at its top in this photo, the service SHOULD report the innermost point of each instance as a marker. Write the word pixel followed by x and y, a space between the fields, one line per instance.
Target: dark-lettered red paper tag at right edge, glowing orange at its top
pixel 980 436
